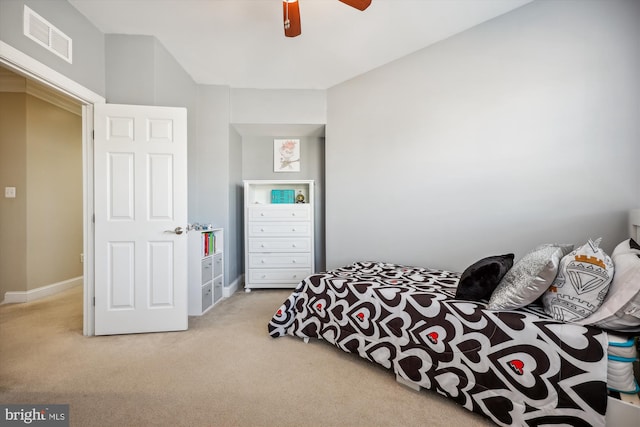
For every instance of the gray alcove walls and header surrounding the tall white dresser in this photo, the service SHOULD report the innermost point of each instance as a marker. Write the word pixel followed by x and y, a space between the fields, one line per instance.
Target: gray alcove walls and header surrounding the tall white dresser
pixel 258 116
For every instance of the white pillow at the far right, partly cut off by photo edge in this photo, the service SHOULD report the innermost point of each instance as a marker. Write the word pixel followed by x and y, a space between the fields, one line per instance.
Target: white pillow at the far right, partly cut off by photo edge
pixel 620 309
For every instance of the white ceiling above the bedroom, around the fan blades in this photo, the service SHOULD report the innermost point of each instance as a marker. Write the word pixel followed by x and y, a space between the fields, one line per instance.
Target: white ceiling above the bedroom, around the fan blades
pixel 241 43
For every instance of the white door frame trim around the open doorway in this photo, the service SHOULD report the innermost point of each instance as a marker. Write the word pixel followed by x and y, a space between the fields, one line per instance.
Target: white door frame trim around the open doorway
pixel 27 66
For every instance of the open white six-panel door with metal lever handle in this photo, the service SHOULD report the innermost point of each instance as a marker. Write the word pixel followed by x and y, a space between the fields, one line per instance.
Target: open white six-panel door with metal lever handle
pixel 140 214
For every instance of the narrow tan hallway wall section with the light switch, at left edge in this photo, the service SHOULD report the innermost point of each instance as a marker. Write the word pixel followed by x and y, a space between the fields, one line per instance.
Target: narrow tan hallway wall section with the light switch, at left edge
pixel 13 212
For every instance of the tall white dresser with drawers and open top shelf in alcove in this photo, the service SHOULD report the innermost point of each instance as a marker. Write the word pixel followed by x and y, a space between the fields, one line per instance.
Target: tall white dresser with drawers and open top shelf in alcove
pixel 279 233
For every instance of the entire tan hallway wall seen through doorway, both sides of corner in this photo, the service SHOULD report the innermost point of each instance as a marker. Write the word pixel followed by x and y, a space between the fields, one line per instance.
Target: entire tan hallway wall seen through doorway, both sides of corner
pixel 41 229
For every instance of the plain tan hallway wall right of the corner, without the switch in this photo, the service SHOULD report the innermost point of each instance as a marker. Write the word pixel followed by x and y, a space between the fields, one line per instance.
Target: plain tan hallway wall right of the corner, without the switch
pixel 54 197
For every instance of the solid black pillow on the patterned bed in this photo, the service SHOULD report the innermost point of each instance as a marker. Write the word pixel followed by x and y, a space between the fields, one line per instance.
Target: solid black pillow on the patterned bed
pixel 479 280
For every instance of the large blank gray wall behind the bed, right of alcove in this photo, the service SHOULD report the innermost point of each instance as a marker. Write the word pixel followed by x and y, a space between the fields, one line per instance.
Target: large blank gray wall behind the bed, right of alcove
pixel 520 131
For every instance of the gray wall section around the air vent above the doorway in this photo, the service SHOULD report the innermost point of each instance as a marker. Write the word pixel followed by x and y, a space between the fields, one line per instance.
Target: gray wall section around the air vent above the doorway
pixel 88 68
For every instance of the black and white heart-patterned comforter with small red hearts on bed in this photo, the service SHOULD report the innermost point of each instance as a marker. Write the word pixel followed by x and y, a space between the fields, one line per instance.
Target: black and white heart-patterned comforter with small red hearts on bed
pixel 516 367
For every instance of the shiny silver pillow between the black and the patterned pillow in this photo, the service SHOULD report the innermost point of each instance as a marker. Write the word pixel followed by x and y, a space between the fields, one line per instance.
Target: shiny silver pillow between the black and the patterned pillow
pixel 529 277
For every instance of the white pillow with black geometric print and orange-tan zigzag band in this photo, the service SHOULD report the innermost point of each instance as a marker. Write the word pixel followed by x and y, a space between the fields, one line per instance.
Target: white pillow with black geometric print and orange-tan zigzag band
pixel 583 280
